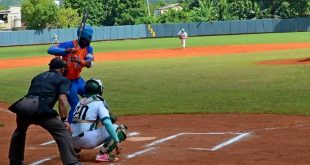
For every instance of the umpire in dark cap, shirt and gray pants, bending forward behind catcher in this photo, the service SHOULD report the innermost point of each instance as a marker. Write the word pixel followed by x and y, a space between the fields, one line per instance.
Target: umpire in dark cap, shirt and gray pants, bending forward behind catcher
pixel 37 108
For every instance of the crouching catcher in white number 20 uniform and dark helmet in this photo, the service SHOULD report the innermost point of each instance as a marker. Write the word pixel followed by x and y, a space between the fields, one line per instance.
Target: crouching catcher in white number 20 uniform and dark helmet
pixel 93 125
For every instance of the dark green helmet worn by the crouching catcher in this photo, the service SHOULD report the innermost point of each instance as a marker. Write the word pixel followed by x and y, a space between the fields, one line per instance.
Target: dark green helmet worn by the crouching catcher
pixel 93 86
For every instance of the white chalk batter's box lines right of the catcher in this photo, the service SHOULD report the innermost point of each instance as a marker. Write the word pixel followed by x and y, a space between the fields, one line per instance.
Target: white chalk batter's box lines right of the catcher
pixel 150 146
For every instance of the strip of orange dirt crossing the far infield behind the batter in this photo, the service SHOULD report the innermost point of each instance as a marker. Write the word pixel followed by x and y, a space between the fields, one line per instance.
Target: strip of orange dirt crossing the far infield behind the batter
pixel 160 53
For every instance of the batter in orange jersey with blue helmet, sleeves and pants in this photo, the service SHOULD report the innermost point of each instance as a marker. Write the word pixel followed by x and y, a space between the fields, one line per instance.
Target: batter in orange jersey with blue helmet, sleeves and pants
pixel 77 54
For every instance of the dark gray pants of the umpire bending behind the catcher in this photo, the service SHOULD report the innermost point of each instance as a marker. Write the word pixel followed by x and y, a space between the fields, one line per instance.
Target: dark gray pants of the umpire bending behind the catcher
pixel 54 126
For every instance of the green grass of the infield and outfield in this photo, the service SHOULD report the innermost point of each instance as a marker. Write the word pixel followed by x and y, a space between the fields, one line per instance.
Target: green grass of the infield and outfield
pixel 205 84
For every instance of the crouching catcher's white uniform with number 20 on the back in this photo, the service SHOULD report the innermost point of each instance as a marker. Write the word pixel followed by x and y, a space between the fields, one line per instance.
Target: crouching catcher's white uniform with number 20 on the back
pixel 86 134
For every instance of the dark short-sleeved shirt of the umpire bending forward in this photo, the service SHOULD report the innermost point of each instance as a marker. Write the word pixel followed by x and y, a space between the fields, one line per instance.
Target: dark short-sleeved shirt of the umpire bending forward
pixel 49 85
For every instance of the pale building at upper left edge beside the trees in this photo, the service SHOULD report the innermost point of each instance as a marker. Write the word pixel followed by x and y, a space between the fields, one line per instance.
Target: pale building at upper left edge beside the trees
pixel 11 18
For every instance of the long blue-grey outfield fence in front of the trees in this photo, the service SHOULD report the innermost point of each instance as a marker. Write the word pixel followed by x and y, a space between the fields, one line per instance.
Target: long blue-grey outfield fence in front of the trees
pixel 30 37
